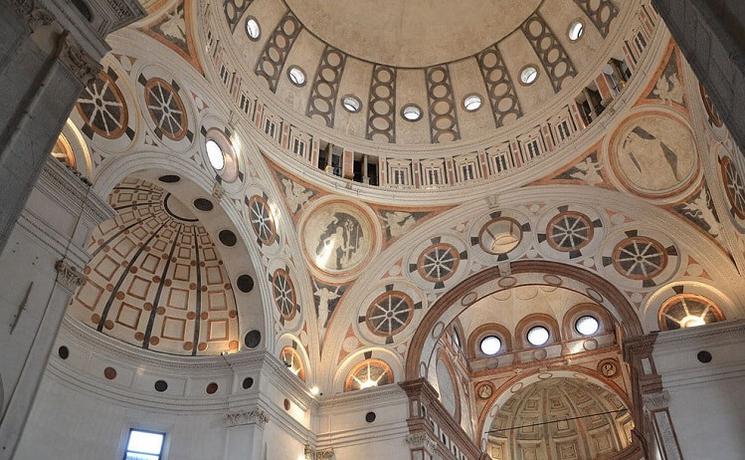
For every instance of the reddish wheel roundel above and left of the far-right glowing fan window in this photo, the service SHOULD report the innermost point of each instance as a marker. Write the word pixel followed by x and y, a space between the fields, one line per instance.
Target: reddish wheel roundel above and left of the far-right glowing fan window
pixel 639 258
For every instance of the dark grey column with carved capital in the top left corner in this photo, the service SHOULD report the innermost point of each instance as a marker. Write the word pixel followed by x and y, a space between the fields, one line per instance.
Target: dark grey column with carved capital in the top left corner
pixel 48 51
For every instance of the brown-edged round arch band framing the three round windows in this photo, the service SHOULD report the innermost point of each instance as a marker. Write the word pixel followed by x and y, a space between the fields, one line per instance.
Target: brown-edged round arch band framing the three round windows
pixel 488 281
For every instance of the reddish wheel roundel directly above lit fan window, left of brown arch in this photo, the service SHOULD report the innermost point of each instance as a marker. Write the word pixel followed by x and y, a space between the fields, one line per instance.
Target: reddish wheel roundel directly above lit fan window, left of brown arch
pixel 389 313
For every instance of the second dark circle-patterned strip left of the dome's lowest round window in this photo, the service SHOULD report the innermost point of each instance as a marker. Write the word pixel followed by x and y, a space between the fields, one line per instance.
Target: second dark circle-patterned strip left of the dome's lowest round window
pixel 322 101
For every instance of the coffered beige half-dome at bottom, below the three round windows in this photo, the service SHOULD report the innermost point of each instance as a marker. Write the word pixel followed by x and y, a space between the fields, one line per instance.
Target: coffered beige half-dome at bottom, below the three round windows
pixel 586 421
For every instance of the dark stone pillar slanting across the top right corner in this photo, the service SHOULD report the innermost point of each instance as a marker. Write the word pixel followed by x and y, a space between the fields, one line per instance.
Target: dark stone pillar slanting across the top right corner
pixel 711 34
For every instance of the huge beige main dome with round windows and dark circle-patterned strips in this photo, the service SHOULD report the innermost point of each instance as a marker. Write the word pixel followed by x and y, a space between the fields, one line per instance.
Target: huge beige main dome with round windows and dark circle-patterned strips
pixel 357 69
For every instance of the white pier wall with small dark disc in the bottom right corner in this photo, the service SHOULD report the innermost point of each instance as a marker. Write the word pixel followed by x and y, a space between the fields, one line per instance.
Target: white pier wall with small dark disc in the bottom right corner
pixel 706 400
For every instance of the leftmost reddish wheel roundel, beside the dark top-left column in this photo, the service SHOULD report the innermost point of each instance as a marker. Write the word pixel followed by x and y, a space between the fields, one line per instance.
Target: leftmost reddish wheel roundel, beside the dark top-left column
pixel 102 107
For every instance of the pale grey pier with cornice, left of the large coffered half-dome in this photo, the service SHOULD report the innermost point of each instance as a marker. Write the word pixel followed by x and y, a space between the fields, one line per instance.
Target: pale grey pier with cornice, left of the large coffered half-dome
pixel 40 269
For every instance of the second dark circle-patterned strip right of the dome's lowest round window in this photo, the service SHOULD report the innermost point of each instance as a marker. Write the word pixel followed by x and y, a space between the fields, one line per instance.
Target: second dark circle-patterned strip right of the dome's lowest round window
pixel 499 87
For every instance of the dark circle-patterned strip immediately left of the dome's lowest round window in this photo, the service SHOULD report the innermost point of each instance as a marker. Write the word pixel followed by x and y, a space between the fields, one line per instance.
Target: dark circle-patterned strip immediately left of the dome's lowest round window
pixel 381 107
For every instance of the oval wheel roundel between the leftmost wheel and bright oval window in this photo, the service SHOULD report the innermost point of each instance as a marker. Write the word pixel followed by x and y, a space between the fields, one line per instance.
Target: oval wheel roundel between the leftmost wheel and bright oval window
pixel 166 109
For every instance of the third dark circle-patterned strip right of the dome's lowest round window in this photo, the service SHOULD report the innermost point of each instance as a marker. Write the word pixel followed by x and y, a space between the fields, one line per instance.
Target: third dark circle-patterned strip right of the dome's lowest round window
pixel 549 50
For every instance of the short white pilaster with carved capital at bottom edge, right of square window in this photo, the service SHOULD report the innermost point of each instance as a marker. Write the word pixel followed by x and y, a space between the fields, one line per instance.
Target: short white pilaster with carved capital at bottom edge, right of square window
pixel 245 434
